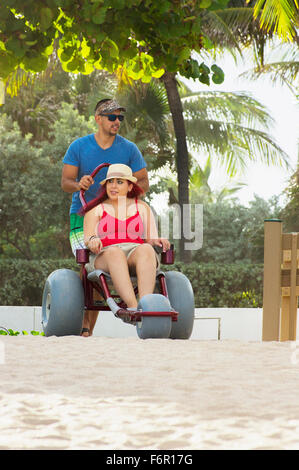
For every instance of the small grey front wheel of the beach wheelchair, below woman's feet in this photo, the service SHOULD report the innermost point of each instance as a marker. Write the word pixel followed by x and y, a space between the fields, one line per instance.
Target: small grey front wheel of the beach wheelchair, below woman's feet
pixel 151 326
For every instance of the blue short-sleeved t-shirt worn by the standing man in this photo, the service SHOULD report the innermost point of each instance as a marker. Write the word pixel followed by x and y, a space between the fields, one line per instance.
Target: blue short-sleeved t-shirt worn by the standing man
pixel 86 154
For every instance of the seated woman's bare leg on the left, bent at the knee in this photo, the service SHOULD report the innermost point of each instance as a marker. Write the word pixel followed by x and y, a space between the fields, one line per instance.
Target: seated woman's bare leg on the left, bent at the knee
pixel 114 261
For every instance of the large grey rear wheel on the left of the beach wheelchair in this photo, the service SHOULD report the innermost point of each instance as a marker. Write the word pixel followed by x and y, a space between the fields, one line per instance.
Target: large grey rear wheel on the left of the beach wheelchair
pixel 62 304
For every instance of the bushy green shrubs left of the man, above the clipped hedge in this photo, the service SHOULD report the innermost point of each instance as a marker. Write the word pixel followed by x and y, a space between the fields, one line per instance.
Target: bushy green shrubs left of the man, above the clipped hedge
pixel 34 221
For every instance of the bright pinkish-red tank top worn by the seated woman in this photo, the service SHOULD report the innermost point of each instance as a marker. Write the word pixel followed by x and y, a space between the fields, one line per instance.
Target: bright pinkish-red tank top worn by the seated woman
pixel 112 230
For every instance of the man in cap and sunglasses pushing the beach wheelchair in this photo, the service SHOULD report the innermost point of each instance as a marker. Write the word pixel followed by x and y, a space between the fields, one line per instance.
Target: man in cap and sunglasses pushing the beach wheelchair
pixel 83 156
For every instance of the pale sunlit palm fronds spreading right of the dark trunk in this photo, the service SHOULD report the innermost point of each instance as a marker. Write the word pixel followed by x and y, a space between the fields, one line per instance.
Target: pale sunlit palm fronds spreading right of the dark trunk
pixel 233 127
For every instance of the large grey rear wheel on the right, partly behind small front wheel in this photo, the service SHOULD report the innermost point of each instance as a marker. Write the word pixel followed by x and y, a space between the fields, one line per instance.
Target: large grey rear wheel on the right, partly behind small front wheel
pixel 181 297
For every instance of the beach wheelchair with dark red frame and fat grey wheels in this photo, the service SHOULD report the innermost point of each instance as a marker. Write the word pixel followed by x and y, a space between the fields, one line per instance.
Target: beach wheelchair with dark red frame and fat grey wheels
pixel 167 313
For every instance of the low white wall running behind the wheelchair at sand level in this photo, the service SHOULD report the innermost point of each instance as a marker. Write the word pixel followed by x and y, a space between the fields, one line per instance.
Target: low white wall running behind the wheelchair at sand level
pixel 211 323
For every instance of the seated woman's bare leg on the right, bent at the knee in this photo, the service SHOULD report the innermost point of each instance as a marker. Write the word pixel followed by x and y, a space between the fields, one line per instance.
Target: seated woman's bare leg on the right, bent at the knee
pixel 143 260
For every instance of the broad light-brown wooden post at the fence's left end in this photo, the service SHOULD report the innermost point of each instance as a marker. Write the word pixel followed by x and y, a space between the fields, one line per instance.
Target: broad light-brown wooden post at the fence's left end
pixel 272 279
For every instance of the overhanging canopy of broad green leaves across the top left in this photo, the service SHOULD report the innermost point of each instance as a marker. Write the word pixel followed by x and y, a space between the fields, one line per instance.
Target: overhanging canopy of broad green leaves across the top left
pixel 146 38
